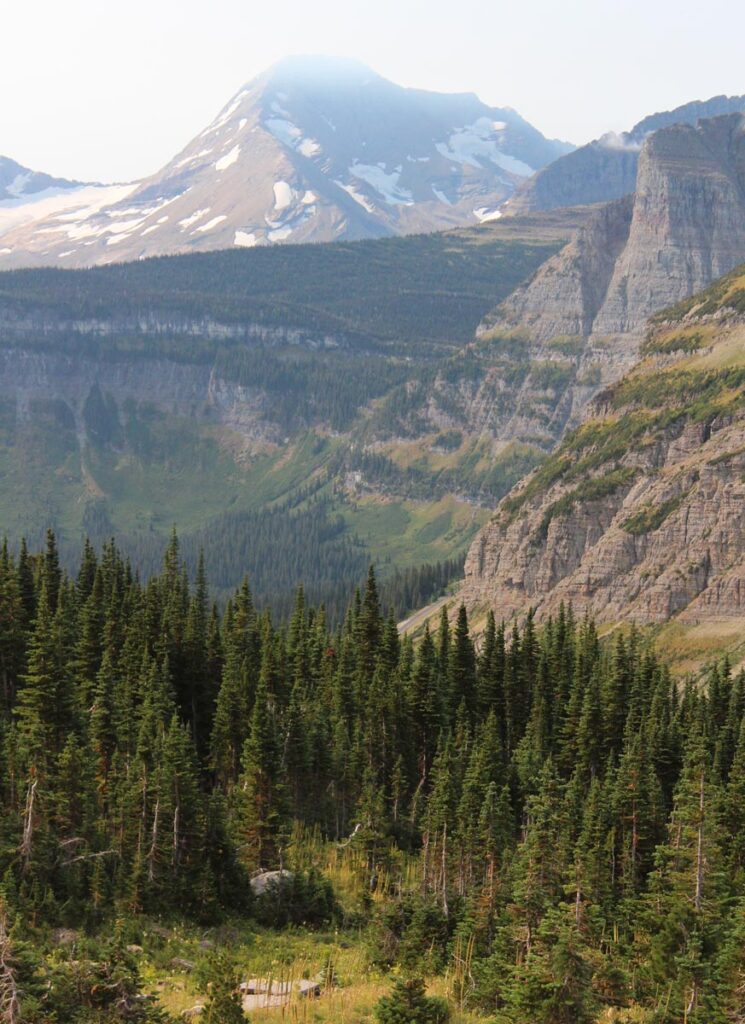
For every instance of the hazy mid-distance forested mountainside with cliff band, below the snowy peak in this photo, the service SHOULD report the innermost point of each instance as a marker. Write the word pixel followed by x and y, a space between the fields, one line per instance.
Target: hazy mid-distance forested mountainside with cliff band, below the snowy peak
pixel 276 405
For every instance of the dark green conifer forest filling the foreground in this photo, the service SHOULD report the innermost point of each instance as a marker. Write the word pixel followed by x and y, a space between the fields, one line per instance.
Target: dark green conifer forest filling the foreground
pixel 553 824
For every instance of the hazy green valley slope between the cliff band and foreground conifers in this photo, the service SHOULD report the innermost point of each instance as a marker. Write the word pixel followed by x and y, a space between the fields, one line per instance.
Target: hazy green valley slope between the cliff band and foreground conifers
pixel 174 473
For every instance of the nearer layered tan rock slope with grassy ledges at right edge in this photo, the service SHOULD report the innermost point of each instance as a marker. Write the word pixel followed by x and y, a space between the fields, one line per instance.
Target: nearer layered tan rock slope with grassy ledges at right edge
pixel 639 513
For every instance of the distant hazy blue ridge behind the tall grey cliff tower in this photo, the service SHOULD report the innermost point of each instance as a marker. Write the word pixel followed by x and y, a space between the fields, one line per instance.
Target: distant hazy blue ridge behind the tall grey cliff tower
pixel 606 168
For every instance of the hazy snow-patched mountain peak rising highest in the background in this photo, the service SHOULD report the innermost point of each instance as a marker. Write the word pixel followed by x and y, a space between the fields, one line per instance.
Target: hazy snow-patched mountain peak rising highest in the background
pixel 313 150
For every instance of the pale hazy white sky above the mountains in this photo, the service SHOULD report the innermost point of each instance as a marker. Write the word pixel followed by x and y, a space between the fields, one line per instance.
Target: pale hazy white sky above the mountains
pixel 110 92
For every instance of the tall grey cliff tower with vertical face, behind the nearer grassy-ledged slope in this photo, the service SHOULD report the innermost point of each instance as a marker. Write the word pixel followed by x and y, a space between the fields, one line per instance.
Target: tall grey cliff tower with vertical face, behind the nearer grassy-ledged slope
pixel 579 322
